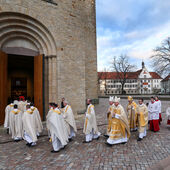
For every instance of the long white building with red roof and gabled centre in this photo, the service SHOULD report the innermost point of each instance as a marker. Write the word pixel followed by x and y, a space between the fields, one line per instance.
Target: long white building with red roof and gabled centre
pixel 139 82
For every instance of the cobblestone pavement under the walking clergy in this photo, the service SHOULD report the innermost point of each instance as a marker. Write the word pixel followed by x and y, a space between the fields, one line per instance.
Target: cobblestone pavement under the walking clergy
pixel 95 155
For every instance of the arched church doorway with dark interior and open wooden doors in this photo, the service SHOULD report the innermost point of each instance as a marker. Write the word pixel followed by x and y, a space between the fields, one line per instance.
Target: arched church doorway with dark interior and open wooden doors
pixel 24 42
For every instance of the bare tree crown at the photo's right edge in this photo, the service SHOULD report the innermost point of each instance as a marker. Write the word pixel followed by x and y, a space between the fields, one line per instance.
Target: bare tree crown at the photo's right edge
pixel 161 58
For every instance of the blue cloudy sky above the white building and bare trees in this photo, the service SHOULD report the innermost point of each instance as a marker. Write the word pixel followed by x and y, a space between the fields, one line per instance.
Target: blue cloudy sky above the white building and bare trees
pixel 130 27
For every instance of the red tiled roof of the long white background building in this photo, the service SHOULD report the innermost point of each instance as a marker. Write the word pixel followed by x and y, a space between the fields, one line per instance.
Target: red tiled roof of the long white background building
pixel 130 75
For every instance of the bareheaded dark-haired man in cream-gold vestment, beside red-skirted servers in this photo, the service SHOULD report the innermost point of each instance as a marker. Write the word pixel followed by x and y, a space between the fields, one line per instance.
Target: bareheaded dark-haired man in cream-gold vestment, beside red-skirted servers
pixel 142 112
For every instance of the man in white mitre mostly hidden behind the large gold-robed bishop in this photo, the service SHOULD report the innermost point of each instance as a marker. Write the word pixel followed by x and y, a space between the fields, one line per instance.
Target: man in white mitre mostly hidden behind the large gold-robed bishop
pixel 109 116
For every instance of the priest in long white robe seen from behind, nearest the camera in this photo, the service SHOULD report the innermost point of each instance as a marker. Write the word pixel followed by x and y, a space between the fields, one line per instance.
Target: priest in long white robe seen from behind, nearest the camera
pixel 58 131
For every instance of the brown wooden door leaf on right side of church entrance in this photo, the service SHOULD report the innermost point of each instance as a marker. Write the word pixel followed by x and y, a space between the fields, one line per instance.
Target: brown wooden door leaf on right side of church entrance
pixel 38 83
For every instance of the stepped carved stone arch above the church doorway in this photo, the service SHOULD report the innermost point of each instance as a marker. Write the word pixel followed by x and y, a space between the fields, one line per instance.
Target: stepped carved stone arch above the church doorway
pixel 21 24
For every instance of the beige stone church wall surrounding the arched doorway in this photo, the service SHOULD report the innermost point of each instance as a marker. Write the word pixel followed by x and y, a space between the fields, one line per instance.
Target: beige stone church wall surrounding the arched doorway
pixel 71 62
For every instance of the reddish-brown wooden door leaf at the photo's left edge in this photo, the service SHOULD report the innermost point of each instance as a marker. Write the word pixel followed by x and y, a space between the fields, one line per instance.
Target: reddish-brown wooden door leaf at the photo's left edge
pixel 3 84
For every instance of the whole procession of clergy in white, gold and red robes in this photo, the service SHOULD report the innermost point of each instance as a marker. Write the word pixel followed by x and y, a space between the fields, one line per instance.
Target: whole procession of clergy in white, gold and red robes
pixel 22 120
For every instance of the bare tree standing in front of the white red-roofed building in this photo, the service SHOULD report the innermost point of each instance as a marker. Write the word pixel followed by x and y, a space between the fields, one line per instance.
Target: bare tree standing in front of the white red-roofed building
pixel 122 67
